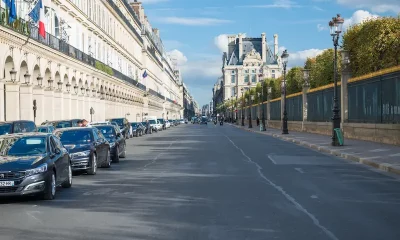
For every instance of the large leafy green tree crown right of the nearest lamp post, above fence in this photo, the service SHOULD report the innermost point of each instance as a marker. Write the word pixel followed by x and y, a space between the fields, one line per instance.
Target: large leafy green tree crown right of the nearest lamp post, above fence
pixel 373 45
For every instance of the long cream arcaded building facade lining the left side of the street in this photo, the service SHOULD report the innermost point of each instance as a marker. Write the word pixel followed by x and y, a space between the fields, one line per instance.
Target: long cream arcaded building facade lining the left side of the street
pixel 96 54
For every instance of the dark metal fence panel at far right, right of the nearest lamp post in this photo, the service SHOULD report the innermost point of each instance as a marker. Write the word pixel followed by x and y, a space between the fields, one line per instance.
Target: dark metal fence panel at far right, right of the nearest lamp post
pixel 375 100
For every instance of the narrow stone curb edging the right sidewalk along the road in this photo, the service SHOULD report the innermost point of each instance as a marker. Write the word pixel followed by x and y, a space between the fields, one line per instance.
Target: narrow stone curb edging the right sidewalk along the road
pixel 386 167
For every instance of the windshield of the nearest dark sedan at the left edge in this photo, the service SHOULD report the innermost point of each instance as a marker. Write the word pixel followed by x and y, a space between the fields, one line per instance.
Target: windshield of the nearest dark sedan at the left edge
pixel 24 146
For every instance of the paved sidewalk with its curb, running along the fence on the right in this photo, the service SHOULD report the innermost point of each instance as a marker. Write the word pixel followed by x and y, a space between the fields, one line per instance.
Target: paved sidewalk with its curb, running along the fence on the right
pixel 382 156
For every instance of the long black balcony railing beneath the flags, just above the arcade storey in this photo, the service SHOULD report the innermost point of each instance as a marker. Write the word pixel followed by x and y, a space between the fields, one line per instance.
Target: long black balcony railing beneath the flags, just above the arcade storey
pixel 32 32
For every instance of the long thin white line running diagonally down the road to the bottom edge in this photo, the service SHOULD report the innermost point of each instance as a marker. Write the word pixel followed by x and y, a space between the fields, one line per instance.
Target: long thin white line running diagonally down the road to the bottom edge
pixel 286 195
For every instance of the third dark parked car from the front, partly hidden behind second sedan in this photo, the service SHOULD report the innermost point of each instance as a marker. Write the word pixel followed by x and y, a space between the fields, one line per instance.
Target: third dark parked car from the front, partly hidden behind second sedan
pixel 116 140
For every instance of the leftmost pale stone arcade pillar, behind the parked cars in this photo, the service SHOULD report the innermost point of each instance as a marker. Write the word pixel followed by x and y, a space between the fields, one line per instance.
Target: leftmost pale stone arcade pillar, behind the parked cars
pixel 12 101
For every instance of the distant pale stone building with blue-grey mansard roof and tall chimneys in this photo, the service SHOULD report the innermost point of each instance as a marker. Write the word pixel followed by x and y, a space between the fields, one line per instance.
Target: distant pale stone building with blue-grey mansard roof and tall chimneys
pixel 247 62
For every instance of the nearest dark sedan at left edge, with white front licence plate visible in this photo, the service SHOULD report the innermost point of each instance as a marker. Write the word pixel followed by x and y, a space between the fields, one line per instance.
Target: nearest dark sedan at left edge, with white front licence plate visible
pixel 33 163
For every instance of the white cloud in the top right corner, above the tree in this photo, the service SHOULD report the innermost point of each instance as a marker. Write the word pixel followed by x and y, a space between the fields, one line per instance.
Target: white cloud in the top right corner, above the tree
pixel 378 6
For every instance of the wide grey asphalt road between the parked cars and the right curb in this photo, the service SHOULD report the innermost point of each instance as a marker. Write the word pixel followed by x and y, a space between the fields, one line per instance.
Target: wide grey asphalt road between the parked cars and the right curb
pixel 213 182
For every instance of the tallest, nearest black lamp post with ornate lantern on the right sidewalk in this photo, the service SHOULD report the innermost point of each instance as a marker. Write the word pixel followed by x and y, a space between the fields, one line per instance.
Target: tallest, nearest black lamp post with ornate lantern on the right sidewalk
pixel 335 26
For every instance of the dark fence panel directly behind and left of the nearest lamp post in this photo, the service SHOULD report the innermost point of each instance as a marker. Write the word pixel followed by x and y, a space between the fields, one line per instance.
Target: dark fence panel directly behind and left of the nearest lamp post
pixel 320 105
